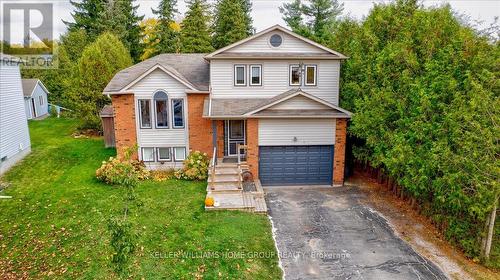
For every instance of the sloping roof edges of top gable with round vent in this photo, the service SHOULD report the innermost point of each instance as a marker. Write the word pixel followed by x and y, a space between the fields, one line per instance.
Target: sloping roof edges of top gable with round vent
pixel 332 53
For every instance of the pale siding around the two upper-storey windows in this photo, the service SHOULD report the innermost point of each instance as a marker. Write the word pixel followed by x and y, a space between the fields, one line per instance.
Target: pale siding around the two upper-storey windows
pixel 275 75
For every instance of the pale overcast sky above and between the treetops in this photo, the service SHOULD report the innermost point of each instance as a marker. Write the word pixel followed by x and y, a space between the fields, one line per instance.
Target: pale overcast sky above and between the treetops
pixel 265 12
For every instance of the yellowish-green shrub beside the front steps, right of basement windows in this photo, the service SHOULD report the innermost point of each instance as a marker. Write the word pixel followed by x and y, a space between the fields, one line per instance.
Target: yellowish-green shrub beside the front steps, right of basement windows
pixel 195 167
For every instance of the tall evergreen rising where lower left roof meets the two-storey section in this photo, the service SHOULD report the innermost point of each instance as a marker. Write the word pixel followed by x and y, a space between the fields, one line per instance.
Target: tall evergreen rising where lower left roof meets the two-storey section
pixel 195 33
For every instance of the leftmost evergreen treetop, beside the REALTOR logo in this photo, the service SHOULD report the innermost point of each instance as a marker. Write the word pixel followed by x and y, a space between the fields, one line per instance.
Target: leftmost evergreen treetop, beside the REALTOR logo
pixel 90 16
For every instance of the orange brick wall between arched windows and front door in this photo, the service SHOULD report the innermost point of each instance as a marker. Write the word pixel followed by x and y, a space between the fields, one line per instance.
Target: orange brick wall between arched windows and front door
pixel 200 129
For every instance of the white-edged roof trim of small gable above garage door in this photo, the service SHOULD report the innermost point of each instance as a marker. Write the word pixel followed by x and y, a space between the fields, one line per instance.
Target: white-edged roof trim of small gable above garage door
pixel 291 94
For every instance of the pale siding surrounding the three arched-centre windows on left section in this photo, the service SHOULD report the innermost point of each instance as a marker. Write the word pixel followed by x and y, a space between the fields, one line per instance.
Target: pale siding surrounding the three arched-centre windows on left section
pixel 164 137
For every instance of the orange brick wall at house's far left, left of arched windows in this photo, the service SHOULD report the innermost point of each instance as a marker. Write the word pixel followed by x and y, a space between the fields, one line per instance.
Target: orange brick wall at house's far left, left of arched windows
pixel 124 121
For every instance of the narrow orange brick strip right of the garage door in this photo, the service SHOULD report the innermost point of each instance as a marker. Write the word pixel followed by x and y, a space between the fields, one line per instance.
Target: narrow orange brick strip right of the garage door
pixel 339 154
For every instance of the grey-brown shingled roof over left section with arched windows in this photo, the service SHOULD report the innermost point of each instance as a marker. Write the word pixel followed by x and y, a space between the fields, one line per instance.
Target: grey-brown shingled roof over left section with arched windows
pixel 190 69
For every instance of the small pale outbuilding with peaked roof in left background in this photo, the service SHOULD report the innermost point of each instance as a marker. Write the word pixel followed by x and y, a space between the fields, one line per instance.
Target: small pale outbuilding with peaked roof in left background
pixel 35 98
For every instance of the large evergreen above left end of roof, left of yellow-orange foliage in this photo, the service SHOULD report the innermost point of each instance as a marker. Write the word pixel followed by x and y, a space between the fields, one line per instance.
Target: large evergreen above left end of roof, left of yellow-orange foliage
pixel 123 21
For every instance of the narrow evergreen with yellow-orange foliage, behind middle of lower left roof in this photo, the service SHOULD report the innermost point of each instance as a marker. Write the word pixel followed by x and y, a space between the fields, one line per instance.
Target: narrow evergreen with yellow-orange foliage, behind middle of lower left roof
pixel 167 37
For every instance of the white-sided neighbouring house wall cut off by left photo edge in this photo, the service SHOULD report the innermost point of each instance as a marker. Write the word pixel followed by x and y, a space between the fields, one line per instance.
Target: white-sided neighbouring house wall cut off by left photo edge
pixel 14 134
